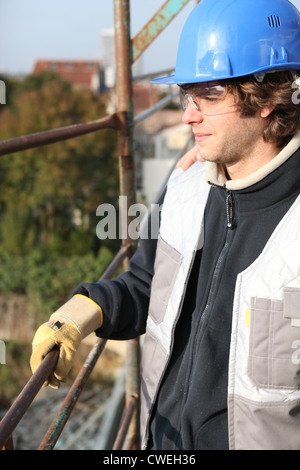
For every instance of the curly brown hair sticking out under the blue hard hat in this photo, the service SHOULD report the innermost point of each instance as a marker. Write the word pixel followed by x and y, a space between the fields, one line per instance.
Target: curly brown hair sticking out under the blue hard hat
pixel 275 89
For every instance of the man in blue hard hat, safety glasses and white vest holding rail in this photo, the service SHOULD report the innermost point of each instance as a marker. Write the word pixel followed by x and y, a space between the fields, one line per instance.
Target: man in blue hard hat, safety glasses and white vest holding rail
pixel 221 356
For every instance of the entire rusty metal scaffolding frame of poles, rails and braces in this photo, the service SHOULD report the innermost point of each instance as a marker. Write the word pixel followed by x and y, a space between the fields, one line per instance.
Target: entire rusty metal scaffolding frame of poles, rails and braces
pixel 127 52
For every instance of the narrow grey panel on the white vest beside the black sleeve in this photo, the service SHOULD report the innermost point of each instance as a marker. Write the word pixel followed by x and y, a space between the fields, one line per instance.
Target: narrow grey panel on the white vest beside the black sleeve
pixel 166 266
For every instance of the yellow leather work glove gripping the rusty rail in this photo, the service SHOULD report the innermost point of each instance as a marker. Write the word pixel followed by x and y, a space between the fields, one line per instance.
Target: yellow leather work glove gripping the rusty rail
pixel 76 319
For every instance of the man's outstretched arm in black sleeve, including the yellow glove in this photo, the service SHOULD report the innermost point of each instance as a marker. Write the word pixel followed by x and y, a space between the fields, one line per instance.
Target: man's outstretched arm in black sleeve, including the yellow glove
pixel 115 309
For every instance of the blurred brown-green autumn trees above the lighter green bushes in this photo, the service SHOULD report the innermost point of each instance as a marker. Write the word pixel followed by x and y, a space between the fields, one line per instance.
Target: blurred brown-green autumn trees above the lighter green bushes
pixel 50 194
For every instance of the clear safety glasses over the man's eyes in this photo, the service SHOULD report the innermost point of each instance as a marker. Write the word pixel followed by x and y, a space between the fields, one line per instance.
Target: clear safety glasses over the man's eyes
pixel 209 101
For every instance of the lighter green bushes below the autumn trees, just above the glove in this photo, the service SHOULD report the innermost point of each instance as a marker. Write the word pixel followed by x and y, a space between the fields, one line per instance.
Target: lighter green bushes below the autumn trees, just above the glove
pixel 48 280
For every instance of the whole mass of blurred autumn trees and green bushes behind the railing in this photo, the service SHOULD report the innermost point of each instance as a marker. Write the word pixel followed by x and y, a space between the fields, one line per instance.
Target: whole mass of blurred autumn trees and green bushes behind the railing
pixel 49 195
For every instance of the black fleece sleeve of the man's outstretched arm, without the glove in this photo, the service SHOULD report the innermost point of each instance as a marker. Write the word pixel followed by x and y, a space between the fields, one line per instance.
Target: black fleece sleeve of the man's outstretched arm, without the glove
pixel 125 300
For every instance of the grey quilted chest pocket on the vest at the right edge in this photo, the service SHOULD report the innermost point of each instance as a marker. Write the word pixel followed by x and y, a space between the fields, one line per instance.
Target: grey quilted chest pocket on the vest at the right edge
pixel 274 357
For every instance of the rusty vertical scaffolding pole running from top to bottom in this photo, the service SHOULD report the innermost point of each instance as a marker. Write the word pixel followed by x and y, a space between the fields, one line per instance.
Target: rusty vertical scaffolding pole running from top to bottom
pixel 123 47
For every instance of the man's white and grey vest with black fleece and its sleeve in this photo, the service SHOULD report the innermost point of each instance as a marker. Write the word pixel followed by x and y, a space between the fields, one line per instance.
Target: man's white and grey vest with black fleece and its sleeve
pixel 221 351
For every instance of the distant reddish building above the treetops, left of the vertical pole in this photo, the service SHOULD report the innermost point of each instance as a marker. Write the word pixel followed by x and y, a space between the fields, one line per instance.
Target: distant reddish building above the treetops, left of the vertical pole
pixel 80 73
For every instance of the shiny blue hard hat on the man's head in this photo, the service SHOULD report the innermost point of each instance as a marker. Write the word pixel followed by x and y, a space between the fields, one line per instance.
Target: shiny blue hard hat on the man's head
pixel 232 38
